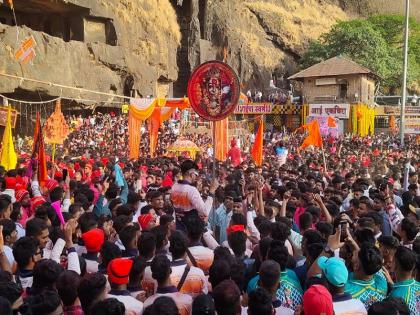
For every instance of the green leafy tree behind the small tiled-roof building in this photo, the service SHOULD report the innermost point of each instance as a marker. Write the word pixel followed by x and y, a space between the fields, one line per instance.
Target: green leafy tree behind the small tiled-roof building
pixel 376 43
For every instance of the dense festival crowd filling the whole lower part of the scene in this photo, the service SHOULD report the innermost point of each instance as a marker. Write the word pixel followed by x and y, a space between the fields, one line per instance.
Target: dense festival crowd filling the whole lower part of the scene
pixel 332 231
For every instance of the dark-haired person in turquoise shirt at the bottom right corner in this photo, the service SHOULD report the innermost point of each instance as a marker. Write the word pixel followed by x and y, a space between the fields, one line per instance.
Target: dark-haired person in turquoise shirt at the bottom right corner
pixel 406 286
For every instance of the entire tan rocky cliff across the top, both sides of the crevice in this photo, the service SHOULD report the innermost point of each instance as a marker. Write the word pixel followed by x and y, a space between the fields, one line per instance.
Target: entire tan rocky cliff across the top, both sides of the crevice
pixel 151 46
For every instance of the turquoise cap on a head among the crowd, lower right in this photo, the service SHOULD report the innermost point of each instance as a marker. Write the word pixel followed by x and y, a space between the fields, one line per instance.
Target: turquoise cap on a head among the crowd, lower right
pixel 334 270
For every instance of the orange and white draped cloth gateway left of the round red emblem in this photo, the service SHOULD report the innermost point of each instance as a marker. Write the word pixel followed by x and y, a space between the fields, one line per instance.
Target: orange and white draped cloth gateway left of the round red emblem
pixel 158 110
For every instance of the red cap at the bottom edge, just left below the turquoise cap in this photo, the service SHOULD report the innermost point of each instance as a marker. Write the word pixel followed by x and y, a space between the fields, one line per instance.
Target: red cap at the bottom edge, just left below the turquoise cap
pixel 317 300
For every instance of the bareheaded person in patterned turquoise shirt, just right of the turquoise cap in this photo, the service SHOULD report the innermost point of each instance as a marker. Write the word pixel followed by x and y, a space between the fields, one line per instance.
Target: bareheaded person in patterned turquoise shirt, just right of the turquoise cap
pixel 367 283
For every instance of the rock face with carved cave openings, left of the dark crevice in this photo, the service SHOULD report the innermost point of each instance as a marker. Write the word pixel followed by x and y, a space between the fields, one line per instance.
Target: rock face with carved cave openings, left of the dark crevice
pixel 143 57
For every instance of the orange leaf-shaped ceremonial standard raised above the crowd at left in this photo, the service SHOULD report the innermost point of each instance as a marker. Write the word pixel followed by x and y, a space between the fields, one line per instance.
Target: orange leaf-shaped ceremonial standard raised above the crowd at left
pixel 56 129
